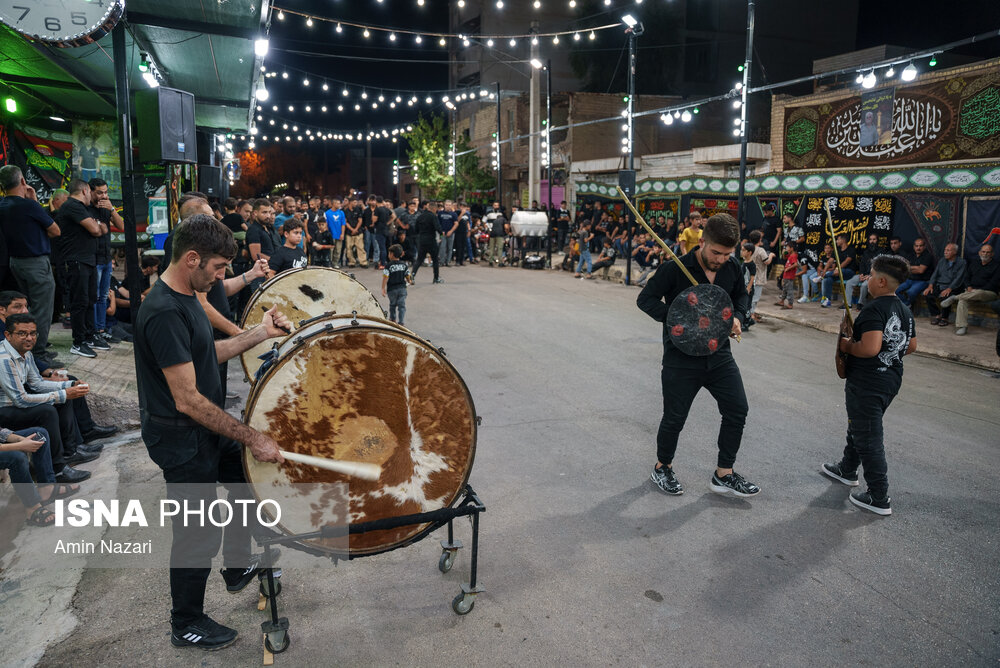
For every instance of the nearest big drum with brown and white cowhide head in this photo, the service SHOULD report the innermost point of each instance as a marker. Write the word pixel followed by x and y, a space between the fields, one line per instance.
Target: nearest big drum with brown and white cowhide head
pixel 362 390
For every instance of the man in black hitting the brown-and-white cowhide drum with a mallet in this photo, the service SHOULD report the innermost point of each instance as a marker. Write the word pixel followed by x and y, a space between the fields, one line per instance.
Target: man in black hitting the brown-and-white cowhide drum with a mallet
pixel 186 432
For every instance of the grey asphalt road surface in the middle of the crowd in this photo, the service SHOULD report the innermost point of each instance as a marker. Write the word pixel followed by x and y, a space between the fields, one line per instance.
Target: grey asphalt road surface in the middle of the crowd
pixel 585 563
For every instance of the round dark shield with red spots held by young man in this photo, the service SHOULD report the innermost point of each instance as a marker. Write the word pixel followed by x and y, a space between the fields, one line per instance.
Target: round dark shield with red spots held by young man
pixel 700 319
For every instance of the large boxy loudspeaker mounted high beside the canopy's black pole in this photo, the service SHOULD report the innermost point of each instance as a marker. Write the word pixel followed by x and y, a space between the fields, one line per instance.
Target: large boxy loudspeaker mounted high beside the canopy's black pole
pixel 165 120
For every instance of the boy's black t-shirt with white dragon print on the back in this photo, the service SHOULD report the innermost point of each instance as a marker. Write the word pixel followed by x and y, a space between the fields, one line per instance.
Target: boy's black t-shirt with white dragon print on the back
pixel 884 372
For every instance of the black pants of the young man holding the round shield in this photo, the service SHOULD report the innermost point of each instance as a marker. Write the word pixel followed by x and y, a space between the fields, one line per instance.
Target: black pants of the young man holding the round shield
pixel 723 380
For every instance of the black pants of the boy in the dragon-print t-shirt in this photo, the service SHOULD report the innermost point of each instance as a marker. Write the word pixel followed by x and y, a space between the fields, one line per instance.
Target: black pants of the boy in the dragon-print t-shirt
pixel 865 447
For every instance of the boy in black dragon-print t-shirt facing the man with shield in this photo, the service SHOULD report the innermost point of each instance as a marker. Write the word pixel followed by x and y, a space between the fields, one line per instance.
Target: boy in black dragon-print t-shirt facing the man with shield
pixel 883 332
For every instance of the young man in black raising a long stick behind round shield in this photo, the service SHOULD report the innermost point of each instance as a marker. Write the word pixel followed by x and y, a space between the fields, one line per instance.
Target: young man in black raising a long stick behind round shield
pixel 684 375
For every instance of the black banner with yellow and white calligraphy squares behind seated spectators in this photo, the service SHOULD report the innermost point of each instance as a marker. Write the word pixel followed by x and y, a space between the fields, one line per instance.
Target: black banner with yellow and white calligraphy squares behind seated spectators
pixel 856 217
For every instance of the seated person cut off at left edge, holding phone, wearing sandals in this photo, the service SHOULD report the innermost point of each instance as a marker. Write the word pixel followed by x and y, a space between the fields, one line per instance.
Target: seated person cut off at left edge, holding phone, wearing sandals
pixel 15 449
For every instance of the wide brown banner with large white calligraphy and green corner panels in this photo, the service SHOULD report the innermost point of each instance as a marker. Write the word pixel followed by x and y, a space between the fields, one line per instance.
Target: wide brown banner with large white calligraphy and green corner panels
pixel 948 119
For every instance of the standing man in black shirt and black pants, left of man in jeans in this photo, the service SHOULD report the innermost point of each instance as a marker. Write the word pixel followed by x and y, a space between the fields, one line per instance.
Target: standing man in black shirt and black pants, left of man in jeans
pixel 80 231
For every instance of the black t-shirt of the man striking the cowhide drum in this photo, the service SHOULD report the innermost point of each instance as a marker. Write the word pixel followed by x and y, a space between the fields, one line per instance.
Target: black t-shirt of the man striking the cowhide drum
pixel 172 328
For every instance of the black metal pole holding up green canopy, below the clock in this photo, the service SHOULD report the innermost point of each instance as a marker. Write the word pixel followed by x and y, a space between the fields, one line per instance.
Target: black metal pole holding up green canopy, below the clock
pixel 123 112
